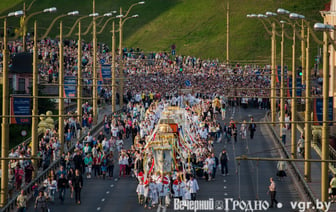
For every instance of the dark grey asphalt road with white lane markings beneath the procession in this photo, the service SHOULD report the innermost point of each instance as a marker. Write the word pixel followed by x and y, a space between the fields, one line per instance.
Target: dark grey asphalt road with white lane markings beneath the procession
pixel 247 181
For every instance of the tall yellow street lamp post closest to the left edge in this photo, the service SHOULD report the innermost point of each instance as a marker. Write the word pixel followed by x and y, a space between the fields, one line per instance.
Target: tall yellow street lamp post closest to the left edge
pixel 5 113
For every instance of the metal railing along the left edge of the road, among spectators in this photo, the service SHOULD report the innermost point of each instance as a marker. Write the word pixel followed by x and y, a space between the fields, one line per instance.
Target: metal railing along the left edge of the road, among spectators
pixel 11 205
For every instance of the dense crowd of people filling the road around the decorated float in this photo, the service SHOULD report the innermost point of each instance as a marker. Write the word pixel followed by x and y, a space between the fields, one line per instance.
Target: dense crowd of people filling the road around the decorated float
pixel 153 81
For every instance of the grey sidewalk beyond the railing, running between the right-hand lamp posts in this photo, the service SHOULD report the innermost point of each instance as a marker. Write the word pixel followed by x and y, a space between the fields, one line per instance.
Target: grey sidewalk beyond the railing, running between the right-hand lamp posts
pixel 315 184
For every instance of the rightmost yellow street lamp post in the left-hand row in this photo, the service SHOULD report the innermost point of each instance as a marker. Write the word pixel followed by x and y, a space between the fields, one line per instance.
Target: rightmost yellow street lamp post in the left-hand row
pixel 121 71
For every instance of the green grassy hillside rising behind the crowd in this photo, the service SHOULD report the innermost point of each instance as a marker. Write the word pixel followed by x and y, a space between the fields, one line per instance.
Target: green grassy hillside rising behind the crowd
pixel 197 27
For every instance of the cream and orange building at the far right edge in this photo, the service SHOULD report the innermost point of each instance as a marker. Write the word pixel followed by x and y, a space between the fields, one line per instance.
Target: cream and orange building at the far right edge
pixel 329 16
